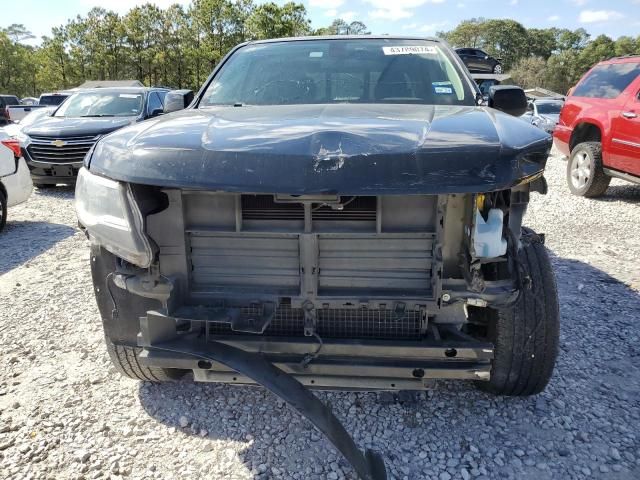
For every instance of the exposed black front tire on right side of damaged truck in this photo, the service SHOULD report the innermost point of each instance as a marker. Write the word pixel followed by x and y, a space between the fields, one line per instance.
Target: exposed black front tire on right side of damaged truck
pixel 525 335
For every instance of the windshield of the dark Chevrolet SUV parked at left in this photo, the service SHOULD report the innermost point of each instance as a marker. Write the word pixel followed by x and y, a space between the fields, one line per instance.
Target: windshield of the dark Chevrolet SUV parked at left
pixel 102 104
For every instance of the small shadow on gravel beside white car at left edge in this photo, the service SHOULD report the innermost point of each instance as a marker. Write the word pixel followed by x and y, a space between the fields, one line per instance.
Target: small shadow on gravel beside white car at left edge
pixel 20 241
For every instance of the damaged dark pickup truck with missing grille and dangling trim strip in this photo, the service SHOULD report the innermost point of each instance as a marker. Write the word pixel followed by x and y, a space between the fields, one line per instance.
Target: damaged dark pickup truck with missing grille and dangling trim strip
pixel 335 213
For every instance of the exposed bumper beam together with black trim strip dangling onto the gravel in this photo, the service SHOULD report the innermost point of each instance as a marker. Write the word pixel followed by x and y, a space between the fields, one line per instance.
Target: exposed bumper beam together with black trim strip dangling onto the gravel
pixel 286 366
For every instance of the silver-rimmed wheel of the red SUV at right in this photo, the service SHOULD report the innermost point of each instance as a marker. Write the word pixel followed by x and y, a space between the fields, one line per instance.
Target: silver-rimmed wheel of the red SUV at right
pixel 584 170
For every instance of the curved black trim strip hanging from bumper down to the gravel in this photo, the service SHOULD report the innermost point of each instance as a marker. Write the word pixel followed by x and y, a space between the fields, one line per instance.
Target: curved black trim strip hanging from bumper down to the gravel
pixel 369 465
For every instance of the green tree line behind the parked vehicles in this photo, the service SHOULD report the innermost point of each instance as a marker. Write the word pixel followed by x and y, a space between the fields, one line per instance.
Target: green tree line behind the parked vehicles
pixel 179 46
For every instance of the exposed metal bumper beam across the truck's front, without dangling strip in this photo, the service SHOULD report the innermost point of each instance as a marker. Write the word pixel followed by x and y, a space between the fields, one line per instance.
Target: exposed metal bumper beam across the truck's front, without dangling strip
pixel 339 363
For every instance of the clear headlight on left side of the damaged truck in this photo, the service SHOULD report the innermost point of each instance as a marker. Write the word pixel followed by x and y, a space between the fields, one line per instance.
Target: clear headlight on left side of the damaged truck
pixel 109 212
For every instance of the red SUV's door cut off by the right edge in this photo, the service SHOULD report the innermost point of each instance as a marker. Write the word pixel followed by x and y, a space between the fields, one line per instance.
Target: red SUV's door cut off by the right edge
pixel 625 134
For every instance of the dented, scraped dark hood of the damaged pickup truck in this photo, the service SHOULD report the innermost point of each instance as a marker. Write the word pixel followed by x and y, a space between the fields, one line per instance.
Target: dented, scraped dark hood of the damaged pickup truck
pixel 345 149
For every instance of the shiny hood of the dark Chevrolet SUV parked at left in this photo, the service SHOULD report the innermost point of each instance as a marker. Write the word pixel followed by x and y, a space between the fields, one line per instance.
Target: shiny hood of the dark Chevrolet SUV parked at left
pixel 61 127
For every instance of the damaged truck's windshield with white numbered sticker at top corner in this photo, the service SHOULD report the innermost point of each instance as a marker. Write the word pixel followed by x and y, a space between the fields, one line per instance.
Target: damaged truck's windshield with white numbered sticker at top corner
pixel 339 71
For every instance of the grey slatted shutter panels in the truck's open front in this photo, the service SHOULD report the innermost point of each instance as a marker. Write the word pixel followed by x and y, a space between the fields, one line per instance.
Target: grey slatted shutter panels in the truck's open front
pixel 350 264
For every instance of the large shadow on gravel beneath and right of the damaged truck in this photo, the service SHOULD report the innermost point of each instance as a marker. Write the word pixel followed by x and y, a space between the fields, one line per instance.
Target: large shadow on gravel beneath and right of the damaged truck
pixel 596 381
